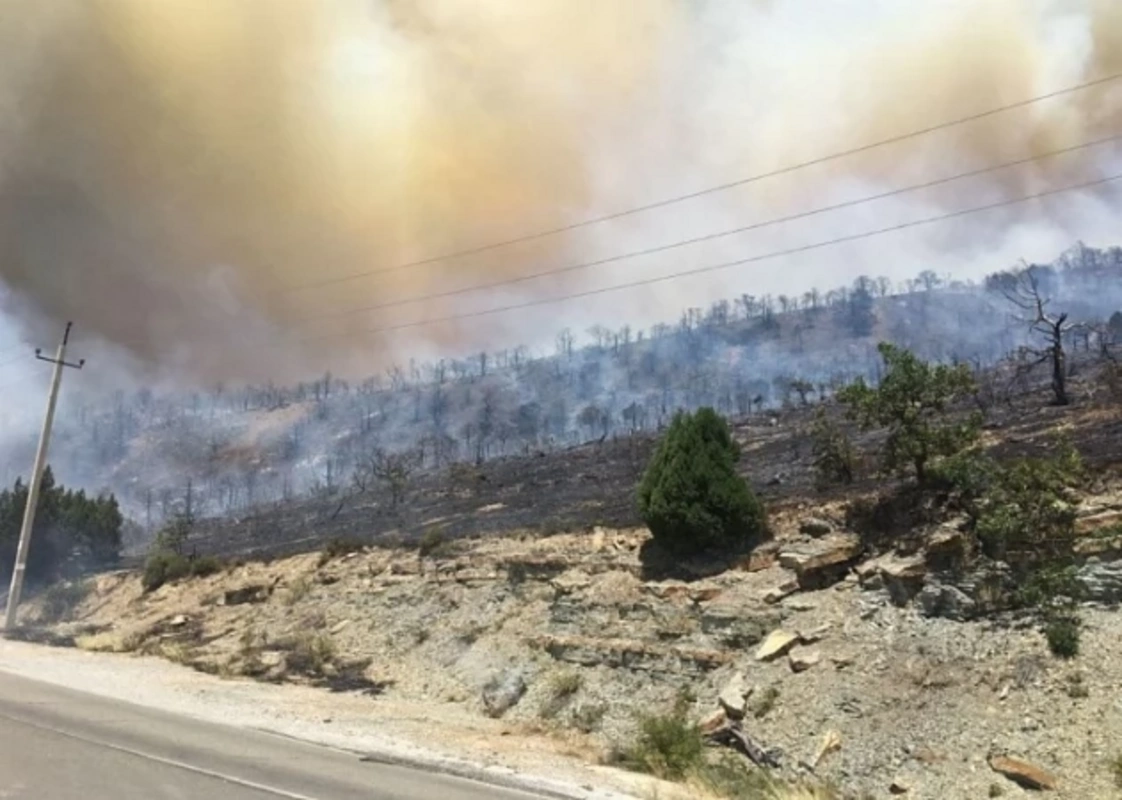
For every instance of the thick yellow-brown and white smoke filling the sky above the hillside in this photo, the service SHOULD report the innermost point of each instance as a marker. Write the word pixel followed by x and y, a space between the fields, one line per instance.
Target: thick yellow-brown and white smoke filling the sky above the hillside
pixel 170 171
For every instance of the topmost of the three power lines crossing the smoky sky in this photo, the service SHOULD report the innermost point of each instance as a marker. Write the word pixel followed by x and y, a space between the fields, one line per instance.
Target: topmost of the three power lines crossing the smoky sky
pixel 703 192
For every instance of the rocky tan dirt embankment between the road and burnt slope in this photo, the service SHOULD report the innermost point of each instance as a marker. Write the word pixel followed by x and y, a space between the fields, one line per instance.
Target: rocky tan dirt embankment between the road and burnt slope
pixel 548 648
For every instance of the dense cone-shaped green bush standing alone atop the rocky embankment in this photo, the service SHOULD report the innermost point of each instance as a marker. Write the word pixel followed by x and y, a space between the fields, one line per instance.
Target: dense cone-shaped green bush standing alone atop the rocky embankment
pixel 692 498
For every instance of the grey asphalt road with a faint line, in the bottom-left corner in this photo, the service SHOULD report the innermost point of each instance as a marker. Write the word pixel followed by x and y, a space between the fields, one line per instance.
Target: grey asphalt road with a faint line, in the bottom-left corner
pixel 59 744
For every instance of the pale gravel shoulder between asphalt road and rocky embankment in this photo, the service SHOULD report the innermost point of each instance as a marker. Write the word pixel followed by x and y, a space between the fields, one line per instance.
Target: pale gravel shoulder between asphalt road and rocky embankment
pixel 343 722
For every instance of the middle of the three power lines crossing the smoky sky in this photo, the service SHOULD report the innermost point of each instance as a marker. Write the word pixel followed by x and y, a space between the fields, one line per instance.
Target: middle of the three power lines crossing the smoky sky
pixel 703 238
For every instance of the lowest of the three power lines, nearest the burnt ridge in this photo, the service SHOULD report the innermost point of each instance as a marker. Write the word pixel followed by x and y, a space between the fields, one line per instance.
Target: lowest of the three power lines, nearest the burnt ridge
pixel 716 268
